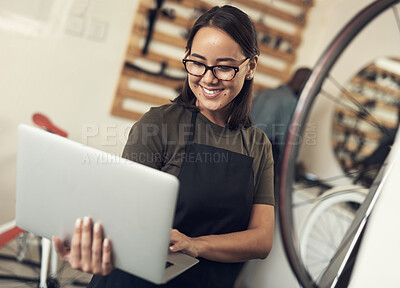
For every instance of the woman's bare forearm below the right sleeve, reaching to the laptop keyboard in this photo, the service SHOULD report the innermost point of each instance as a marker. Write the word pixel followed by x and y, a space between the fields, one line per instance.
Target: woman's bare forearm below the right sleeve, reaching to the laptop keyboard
pixel 235 247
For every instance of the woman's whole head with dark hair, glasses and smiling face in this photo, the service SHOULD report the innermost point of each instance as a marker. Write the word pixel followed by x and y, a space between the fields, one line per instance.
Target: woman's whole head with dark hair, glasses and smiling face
pixel 217 41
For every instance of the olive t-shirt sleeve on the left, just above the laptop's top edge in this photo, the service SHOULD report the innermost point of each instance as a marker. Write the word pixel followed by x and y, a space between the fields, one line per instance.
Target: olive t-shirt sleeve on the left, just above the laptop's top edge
pixel 144 143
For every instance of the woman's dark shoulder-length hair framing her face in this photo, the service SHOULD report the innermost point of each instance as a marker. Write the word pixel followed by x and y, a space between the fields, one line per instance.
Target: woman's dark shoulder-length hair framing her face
pixel 238 25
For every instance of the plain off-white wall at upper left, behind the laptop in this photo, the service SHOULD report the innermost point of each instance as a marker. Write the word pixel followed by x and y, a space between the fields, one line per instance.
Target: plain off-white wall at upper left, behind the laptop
pixel 70 77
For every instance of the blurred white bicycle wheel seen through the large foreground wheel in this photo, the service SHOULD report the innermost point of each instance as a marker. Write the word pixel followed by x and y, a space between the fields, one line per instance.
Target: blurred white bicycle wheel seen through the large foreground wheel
pixel 326 224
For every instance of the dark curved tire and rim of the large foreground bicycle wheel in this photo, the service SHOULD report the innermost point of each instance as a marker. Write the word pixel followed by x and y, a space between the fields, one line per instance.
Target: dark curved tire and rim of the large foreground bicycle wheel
pixel 296 127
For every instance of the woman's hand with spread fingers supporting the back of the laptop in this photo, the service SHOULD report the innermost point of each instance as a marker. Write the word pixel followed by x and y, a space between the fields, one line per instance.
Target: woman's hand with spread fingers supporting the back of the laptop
pixel 88 254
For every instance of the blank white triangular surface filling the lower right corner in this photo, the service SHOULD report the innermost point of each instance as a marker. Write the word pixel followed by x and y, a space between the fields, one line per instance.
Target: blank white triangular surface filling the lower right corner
pixel 380 243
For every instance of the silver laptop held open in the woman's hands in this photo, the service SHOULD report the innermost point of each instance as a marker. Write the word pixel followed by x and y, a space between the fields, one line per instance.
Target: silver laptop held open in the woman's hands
pixel 59 180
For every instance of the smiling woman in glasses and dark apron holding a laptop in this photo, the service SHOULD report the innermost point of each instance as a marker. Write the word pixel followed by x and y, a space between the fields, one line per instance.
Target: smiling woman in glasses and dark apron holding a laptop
pixel 225 210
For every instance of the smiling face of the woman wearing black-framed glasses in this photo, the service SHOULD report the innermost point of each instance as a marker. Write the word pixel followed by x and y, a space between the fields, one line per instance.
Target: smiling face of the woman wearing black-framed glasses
pixel 212 46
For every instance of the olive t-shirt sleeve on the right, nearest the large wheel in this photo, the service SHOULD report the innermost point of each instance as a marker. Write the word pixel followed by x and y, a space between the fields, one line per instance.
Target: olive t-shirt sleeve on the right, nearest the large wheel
pixel 264 178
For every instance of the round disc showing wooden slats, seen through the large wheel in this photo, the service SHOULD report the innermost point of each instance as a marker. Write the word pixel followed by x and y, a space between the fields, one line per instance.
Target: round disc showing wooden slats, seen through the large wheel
pixel 362 139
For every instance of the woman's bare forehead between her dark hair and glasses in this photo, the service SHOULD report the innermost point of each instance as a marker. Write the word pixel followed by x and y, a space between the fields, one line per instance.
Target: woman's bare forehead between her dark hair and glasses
pixel 214 43
